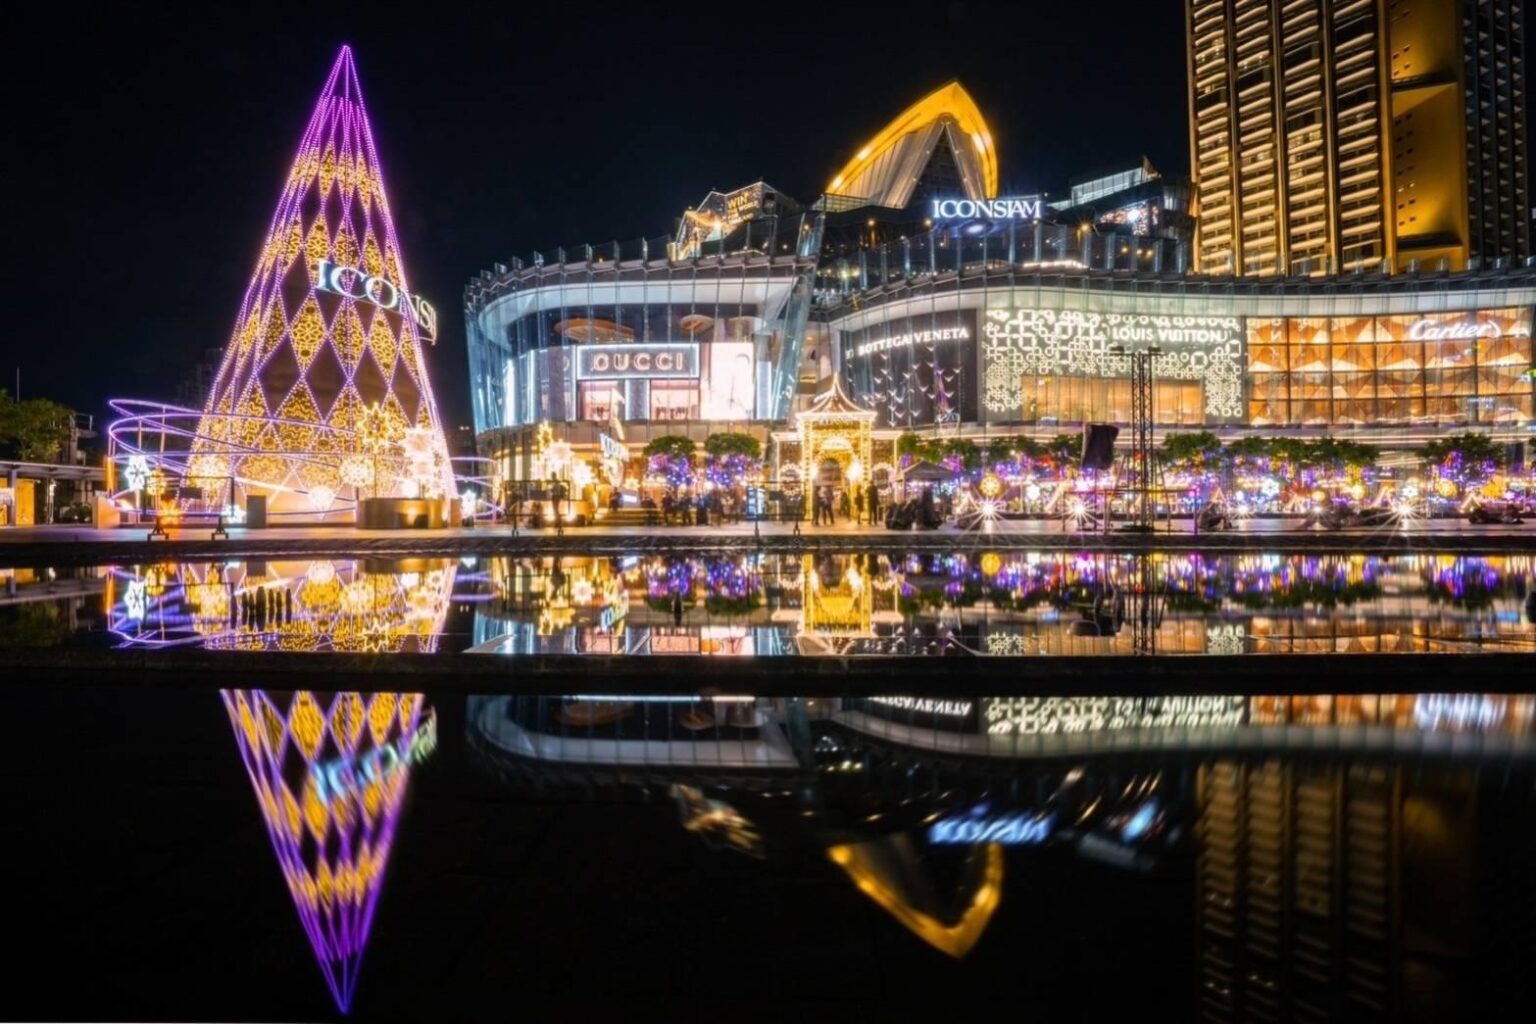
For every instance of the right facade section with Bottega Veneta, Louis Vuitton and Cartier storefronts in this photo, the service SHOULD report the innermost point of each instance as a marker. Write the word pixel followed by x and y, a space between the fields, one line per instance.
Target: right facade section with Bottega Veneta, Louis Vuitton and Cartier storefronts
pixel 1051 351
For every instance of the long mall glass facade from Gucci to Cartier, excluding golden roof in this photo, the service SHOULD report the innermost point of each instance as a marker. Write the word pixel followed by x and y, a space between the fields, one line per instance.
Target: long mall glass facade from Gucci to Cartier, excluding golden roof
pixel 988 326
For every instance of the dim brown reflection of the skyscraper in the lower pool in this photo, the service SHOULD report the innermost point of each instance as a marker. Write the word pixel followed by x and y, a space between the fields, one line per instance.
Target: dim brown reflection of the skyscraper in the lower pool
pixel 1342 893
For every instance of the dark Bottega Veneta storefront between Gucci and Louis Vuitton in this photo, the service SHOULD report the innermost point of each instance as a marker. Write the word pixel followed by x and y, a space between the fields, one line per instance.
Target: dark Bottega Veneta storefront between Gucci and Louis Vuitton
pixel 915 371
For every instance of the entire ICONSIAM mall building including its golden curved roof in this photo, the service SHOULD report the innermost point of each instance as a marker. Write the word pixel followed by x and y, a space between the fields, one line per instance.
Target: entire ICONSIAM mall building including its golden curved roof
pixel 921 296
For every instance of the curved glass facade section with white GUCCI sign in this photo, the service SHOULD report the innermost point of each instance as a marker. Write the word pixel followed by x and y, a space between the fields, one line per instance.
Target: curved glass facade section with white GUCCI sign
pixel 638 340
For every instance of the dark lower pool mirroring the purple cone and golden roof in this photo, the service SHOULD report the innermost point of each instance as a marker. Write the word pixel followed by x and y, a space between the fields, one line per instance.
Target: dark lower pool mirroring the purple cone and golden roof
pixel 303 856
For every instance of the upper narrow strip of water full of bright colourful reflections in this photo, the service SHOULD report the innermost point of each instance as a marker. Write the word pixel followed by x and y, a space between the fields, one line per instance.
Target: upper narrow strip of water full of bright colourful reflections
pixel 991 604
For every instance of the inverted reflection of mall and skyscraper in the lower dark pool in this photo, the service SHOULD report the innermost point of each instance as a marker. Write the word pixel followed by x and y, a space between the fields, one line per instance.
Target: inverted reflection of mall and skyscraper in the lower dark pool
pixel 1311 828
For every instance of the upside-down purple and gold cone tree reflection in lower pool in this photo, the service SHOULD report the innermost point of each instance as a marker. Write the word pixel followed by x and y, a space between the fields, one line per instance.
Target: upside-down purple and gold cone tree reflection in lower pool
pixel 331 782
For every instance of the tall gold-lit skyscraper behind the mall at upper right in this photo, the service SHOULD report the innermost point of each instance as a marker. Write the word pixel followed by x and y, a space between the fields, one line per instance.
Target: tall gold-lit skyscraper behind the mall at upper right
pixel 1336 136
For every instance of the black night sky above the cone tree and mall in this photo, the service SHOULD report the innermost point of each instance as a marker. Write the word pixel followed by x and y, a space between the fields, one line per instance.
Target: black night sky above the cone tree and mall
pixel 145 151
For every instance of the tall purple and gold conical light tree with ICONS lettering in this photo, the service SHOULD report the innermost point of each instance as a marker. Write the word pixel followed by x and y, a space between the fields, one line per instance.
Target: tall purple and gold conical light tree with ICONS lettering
pixel 323 397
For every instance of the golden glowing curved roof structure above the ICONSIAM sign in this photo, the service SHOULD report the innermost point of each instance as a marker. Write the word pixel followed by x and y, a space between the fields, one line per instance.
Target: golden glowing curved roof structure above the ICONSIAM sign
pixel 887 168
